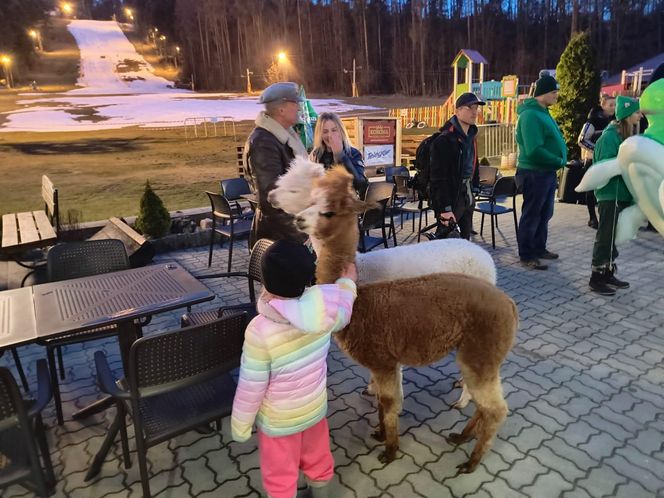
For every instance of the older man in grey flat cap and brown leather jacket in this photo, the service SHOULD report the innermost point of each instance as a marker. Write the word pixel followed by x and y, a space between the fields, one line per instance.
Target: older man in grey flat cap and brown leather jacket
pixel 270 148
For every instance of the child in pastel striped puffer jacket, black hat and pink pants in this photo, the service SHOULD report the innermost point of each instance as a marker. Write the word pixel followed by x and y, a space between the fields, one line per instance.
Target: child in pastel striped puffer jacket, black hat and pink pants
pixel 283 377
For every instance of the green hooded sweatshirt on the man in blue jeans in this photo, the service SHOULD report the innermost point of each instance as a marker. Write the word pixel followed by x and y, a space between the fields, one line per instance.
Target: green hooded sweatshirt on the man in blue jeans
pixel 541 144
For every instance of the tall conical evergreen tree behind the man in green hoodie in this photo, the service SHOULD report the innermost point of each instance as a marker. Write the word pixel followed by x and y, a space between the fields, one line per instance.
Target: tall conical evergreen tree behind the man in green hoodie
pixel 580 85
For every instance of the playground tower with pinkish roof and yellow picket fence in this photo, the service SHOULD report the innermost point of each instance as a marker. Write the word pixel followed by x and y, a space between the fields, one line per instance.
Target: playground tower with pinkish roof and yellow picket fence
pixel 501 97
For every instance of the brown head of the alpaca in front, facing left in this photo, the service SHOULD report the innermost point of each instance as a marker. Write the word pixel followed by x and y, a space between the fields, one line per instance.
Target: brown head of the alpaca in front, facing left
pixel 334 206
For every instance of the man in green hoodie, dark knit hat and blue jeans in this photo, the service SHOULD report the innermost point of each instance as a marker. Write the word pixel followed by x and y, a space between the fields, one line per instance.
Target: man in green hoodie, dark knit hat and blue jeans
pixel 542 151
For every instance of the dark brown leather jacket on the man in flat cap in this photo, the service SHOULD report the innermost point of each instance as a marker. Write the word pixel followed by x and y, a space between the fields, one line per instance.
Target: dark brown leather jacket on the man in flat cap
pixel 266 159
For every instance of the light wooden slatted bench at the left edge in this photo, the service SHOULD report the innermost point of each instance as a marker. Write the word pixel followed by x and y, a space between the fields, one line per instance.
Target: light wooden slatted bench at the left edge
pixel 32 229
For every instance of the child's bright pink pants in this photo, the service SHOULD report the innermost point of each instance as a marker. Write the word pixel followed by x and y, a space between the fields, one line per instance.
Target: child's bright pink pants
pixel 282 457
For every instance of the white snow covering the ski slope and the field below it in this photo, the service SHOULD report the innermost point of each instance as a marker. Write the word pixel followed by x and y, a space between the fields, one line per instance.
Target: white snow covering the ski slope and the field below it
pixel 118 89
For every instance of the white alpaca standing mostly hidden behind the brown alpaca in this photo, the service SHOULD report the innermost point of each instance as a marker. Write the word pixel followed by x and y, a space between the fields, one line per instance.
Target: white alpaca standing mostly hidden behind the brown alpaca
pixel 292 194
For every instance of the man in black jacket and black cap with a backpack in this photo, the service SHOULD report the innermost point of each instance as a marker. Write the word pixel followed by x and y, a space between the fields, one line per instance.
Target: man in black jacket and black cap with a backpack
pixel 454 166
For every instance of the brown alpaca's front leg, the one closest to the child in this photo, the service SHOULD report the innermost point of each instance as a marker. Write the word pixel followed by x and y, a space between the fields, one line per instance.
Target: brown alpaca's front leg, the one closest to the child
pixel 388 392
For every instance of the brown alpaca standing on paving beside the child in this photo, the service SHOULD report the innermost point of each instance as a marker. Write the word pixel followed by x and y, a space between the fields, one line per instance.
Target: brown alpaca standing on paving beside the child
pixel 462 312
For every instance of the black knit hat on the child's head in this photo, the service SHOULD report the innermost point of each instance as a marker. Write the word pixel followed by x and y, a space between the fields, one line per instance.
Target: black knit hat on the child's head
pixel 287 268
